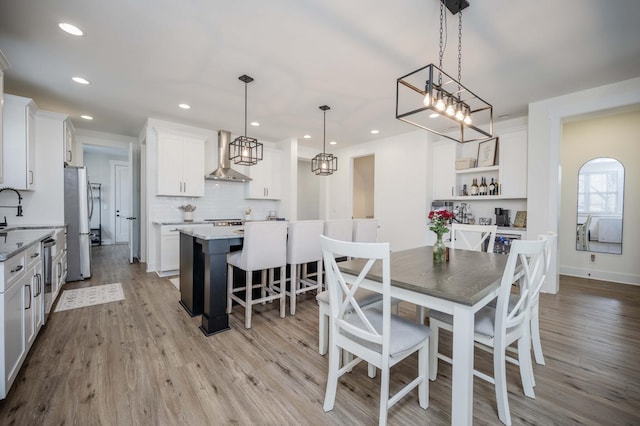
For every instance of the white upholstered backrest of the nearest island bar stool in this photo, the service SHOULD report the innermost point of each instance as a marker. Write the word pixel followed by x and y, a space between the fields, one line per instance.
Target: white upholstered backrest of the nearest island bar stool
pixel 264 245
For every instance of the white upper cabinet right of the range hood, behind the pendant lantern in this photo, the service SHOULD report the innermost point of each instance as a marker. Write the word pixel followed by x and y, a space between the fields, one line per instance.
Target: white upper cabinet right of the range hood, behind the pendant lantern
pixel 266 180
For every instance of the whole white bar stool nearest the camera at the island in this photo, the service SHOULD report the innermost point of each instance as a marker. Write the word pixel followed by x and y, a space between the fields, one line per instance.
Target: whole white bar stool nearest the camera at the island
pixel 264 248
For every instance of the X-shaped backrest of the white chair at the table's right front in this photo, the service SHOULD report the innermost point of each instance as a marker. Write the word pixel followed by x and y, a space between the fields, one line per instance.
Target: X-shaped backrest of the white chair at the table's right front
pixel 525 266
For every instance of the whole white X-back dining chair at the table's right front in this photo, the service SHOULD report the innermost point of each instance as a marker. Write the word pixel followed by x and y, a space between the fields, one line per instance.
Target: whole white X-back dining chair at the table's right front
pixel 497 328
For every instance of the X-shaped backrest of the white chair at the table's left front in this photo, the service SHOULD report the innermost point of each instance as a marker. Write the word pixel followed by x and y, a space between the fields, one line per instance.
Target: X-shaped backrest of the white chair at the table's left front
pixel 342 301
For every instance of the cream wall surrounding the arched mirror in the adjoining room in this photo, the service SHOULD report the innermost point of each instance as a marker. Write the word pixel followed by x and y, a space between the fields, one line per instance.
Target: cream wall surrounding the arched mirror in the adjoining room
pixel 614 136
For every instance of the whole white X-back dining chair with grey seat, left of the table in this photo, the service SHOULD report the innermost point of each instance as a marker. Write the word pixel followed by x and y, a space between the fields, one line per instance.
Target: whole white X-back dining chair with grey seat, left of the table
pixel 375 336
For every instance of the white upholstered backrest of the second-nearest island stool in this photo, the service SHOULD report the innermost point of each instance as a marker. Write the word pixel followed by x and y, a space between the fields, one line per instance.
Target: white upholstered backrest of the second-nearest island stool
pixel 303 241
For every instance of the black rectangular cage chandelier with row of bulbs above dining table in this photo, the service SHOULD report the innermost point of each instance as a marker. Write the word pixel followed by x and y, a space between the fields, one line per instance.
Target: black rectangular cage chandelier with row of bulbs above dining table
pixel 433 100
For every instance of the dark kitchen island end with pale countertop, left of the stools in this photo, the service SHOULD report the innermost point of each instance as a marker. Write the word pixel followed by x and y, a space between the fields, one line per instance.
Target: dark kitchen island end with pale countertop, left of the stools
pixel 203 274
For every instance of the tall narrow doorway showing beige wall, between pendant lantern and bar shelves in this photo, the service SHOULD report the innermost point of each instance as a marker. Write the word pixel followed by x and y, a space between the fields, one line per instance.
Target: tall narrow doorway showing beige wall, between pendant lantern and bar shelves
pixel 364 187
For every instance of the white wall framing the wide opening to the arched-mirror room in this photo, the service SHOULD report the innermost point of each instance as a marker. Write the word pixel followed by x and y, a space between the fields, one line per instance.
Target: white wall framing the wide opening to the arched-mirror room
pixel 545 136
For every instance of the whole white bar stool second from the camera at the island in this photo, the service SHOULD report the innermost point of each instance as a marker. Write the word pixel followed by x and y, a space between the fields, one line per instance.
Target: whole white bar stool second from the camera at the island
pixel 303 248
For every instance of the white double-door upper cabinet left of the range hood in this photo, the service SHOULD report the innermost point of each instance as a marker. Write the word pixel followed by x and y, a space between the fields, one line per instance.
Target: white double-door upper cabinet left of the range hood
pixel 180 165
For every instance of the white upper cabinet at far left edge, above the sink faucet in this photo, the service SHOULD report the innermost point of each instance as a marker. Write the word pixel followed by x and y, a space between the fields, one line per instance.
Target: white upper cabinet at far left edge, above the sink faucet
pixel 19 140
